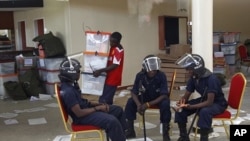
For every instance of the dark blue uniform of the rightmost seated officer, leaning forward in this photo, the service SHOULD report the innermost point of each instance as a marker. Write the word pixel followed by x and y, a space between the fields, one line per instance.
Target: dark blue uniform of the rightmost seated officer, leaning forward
pixel 203 86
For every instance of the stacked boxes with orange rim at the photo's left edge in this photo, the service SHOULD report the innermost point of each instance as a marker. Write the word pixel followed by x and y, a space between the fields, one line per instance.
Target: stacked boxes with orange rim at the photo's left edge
pixel 7 73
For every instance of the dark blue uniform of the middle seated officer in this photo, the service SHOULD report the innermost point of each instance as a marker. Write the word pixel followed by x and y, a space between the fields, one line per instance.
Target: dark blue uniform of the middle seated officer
pixel 153 88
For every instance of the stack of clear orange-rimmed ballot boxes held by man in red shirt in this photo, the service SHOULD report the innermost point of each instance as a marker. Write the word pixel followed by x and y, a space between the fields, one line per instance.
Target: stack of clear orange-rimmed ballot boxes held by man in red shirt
pixel 95 57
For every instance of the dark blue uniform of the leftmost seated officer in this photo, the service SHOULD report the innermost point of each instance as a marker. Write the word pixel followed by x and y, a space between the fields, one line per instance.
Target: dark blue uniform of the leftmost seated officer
pixel 113 122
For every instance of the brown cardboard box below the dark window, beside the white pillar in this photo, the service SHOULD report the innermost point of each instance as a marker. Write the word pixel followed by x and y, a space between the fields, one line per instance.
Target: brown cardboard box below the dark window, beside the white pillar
pixel 178 50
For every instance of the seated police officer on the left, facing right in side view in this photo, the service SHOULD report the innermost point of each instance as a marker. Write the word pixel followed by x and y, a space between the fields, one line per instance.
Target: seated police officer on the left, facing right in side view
pixel 108 117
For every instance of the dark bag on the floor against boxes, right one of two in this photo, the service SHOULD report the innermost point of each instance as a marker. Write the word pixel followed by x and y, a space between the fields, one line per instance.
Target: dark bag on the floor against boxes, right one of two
pixel 31 83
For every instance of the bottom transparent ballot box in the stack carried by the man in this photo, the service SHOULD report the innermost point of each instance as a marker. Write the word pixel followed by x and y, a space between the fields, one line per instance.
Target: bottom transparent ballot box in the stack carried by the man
pixel 92 85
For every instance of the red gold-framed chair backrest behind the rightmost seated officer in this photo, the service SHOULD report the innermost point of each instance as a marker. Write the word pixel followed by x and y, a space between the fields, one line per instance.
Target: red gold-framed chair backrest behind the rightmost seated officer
pixel 237 90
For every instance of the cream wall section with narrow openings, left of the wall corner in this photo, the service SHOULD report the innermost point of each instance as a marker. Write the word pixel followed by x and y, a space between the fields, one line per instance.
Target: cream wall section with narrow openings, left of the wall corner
pixel 54 14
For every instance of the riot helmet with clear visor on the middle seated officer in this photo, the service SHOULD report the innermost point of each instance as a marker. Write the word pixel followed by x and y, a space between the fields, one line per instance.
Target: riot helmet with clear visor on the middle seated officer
pixel 151 62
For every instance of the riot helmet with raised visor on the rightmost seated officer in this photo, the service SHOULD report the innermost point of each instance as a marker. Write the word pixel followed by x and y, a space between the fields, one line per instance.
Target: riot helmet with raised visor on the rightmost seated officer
pixel 193 62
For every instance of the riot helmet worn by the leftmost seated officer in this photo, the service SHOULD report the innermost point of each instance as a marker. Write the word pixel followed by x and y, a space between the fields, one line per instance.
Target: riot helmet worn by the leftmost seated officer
pixel 69 70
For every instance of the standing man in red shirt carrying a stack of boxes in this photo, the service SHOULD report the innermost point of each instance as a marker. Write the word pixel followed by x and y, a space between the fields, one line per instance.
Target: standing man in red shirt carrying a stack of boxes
pixel 113 70
